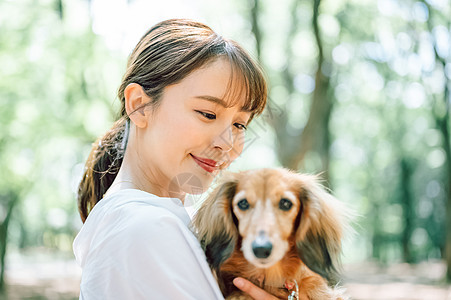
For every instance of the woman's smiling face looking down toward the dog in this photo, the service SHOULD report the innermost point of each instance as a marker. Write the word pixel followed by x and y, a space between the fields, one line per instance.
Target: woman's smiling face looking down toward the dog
pixel 193 133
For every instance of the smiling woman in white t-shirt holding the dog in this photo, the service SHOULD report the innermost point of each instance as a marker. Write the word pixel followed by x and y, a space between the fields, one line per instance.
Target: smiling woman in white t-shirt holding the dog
pixel 187 96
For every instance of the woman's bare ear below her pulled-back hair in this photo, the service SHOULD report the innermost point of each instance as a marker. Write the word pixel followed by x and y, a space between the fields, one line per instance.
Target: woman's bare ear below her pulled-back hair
pixel 135 103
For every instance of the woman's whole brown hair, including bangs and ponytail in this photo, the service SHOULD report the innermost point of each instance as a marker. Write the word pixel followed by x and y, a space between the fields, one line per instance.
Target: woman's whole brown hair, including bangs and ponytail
pixel 165 55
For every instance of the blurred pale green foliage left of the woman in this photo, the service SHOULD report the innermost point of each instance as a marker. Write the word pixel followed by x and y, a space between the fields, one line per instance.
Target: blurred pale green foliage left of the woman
pixel 56 92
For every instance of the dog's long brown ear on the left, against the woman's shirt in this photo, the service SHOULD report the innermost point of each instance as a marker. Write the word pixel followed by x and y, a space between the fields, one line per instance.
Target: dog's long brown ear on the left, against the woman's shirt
pixel 215 224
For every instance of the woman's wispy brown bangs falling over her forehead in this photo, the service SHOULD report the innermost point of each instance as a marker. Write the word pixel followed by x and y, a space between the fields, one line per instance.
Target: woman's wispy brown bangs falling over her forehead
pixel 247 79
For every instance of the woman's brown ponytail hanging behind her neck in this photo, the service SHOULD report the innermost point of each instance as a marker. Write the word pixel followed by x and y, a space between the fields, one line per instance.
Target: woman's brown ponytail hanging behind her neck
pixel 102 166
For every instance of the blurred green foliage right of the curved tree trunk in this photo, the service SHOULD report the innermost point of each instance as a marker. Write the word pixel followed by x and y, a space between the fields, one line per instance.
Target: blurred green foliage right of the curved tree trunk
pixel 390 84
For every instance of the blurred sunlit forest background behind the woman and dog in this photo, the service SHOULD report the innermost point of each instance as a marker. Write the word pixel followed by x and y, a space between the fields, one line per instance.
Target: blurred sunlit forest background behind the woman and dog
pixel 359 91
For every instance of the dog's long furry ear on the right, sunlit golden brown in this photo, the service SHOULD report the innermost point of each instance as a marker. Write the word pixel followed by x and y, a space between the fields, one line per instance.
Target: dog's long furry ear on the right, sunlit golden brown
pixel 322 223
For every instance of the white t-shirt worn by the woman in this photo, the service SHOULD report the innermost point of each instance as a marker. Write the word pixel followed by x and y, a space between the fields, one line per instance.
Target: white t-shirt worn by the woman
pixel 135 245
